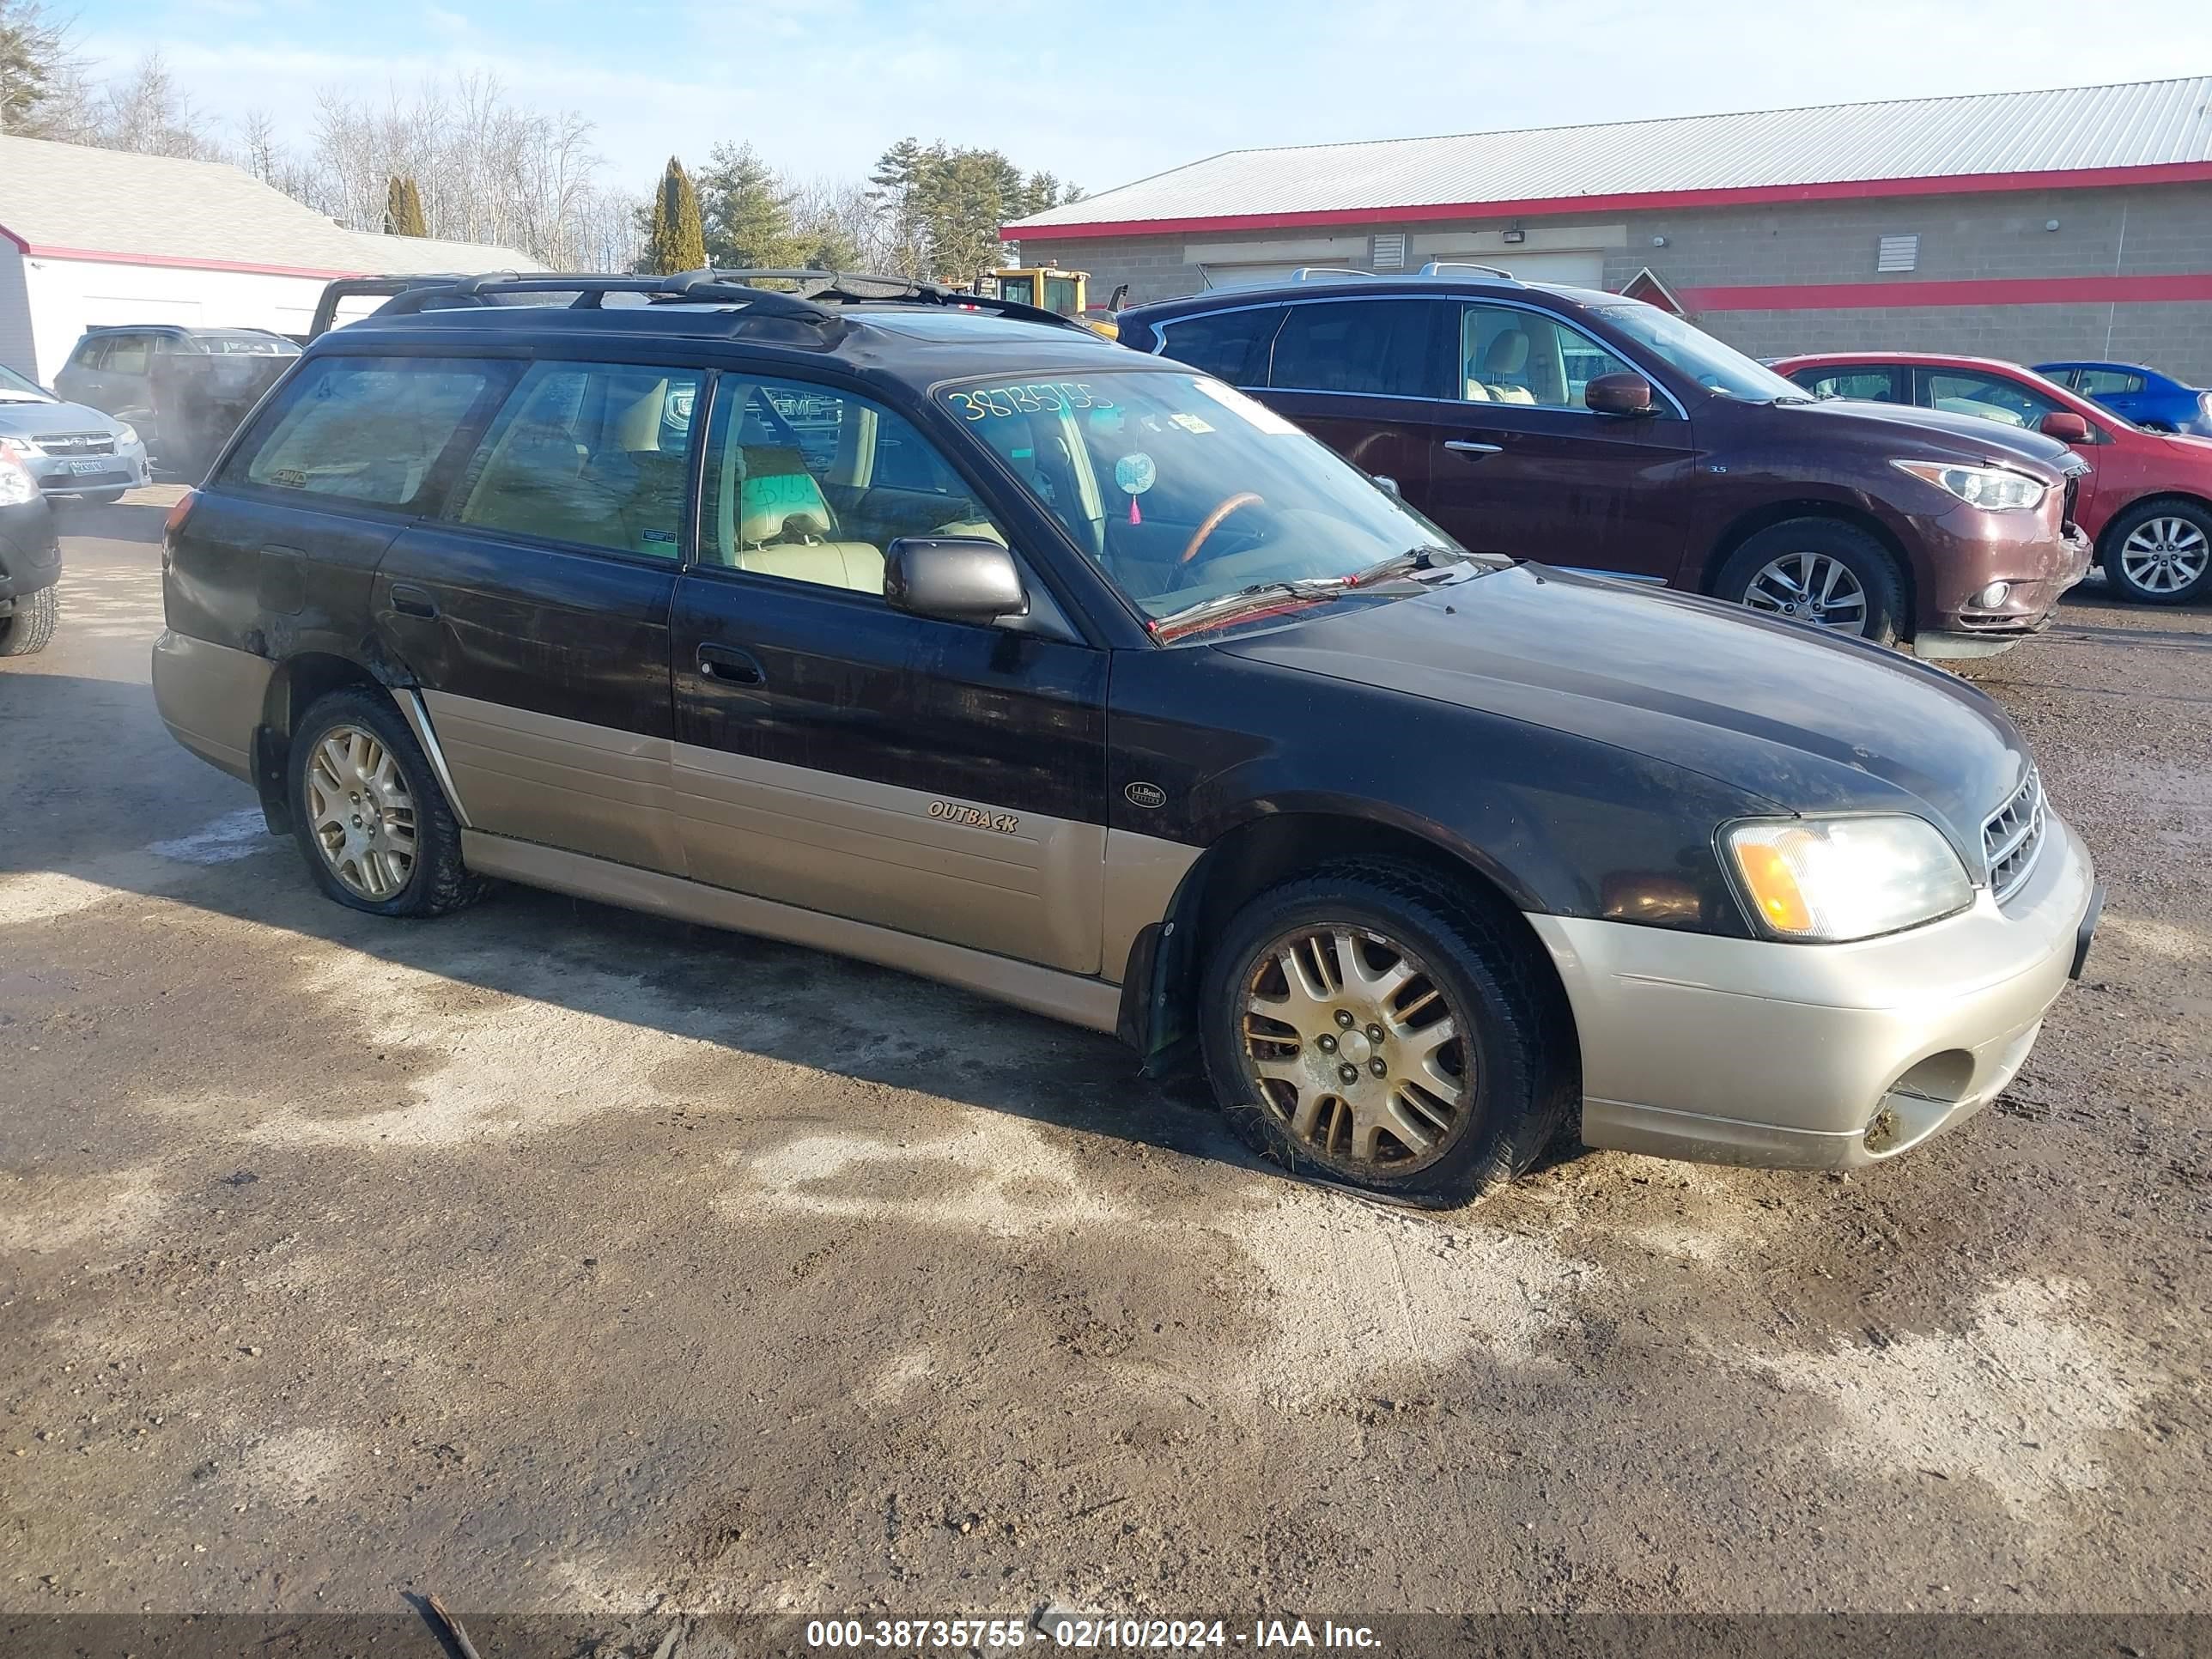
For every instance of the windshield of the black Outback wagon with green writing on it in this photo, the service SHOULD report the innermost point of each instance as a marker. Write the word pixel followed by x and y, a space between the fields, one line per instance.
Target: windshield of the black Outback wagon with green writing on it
pixel 1185 490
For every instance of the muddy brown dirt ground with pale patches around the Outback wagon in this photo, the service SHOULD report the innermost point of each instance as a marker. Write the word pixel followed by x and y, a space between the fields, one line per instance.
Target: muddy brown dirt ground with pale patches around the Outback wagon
pixel 561 1260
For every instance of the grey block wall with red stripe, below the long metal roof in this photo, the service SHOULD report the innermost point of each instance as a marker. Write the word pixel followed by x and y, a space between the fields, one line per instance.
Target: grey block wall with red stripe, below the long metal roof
pixel 2145 231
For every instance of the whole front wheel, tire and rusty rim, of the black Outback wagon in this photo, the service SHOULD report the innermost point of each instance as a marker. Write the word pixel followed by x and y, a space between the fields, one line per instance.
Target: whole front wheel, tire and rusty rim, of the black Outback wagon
pixel 1375 1027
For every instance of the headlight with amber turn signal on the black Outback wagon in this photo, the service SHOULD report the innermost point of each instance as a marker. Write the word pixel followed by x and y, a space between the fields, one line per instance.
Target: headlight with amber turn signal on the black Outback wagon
pixel 1841 879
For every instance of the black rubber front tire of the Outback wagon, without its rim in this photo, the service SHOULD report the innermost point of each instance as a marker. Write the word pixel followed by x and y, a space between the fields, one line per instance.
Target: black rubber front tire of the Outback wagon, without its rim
pixel 1527 1076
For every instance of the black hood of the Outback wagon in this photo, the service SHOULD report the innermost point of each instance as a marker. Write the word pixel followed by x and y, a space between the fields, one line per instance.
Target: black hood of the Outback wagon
pixel 1773 709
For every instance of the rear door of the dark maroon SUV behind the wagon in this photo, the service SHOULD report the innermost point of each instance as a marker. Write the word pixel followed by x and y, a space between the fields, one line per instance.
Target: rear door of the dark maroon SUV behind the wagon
pixel 1366 377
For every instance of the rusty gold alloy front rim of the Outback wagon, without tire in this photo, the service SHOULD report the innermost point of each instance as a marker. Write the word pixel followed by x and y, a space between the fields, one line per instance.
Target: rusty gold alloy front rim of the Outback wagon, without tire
pixel 1357 1050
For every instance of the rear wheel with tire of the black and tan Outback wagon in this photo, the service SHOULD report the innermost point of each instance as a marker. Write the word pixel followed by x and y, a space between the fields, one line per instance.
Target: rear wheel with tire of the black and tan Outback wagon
pixel 368 813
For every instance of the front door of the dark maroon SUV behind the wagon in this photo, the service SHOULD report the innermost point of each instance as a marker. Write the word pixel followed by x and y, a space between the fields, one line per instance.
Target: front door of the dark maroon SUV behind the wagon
pixel 1521 466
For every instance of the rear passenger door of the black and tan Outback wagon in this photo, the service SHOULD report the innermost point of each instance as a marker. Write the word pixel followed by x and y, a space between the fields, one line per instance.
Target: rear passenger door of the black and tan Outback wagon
pixel 534 605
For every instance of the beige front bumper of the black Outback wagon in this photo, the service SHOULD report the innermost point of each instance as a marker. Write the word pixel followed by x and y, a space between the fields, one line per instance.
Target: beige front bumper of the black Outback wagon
pixel 1817 1056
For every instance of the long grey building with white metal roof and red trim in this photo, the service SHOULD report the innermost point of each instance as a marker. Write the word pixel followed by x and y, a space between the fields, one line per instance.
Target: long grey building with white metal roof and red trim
pixel 2069 222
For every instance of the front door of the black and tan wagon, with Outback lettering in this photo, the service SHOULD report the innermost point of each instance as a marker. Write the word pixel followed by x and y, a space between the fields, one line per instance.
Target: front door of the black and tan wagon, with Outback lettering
pixel 839 755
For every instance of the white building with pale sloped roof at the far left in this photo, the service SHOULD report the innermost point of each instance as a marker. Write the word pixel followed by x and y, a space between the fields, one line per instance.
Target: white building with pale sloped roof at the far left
pixel 114 238
